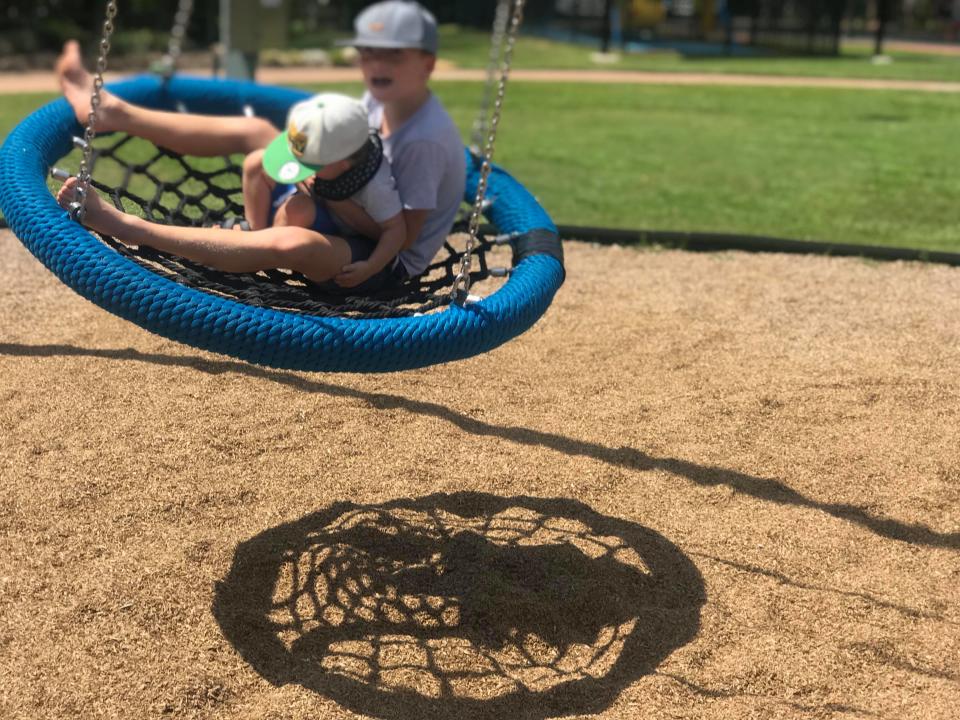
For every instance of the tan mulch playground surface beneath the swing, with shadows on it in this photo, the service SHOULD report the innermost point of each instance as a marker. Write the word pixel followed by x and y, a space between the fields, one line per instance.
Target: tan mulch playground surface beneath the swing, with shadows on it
pixel 702 486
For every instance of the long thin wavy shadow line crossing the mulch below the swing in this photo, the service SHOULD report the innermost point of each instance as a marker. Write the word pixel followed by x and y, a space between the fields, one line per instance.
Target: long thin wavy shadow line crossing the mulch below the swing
pixel 766 489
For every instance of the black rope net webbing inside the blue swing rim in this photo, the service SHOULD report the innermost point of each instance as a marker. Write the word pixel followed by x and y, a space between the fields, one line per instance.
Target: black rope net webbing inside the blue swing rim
pixel 172 189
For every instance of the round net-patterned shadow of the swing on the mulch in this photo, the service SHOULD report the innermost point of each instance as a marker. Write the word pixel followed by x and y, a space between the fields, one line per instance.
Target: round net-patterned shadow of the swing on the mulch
pixel 460 606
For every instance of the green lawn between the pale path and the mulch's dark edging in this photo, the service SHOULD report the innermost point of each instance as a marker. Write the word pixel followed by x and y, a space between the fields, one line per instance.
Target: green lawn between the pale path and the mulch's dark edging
pixel 832 165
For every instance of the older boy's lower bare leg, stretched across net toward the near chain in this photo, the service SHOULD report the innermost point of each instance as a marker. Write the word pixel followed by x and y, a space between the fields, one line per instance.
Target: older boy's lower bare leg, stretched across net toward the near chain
pixel 319 257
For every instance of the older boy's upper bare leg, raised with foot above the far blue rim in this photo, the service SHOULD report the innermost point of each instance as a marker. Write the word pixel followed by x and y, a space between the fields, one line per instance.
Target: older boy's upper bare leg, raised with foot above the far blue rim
pixel 183 133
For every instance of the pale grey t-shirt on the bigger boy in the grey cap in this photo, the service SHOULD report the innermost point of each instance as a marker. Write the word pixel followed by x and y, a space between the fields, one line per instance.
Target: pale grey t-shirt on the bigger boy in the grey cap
pixel 426 155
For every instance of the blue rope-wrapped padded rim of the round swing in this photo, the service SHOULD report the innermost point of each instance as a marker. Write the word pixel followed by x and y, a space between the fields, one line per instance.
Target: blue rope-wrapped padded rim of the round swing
pixel 259 335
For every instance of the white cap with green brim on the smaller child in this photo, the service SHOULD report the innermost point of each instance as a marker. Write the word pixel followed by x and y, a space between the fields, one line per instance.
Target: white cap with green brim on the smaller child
pixel 322 130
